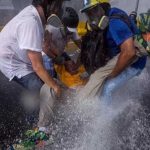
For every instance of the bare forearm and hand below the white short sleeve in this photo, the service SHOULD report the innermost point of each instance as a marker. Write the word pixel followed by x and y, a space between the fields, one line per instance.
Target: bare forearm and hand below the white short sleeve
pixel 37 64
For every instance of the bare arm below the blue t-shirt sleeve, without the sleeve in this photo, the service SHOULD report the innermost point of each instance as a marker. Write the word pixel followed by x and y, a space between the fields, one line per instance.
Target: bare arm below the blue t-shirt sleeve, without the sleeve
pixel 127 54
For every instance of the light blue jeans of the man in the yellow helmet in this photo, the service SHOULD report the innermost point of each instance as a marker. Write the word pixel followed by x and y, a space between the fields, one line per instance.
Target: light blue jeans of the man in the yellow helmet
pixel 111 85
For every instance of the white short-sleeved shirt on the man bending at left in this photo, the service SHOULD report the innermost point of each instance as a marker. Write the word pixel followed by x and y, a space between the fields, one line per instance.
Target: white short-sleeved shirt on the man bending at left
pixel 24 32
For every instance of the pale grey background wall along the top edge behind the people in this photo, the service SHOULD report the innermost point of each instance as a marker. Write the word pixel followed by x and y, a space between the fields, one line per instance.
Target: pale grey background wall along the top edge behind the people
pixel 127 5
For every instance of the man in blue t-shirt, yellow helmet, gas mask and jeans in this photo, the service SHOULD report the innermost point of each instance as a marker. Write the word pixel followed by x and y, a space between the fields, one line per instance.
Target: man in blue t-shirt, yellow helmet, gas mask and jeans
pixel 119 40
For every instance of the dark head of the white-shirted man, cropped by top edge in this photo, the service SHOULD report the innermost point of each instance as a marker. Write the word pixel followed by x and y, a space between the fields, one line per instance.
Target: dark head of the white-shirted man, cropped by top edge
pixel 49 6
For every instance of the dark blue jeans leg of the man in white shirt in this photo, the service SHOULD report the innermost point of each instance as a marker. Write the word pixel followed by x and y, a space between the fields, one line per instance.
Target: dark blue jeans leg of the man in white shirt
pixel 30 99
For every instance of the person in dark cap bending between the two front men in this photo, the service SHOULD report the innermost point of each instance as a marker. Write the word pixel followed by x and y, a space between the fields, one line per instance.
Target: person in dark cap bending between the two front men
pixel 61 36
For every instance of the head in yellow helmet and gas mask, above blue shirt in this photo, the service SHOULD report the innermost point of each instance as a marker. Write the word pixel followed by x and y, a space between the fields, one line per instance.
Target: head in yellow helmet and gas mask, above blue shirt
pixel 95 10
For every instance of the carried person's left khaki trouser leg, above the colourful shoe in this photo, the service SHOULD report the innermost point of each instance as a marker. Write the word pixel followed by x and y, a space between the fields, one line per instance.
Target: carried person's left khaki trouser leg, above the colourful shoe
pixel 49 100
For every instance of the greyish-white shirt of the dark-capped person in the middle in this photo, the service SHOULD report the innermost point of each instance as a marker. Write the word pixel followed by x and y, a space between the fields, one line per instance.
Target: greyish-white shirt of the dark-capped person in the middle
pixel 57 38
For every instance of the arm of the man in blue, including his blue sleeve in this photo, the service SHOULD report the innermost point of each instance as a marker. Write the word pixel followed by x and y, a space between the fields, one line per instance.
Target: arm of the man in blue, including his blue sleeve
pixel 122 36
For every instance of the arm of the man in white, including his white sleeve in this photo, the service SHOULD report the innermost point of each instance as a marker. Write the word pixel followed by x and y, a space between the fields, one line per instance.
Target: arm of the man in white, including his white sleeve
pixel 30 39
